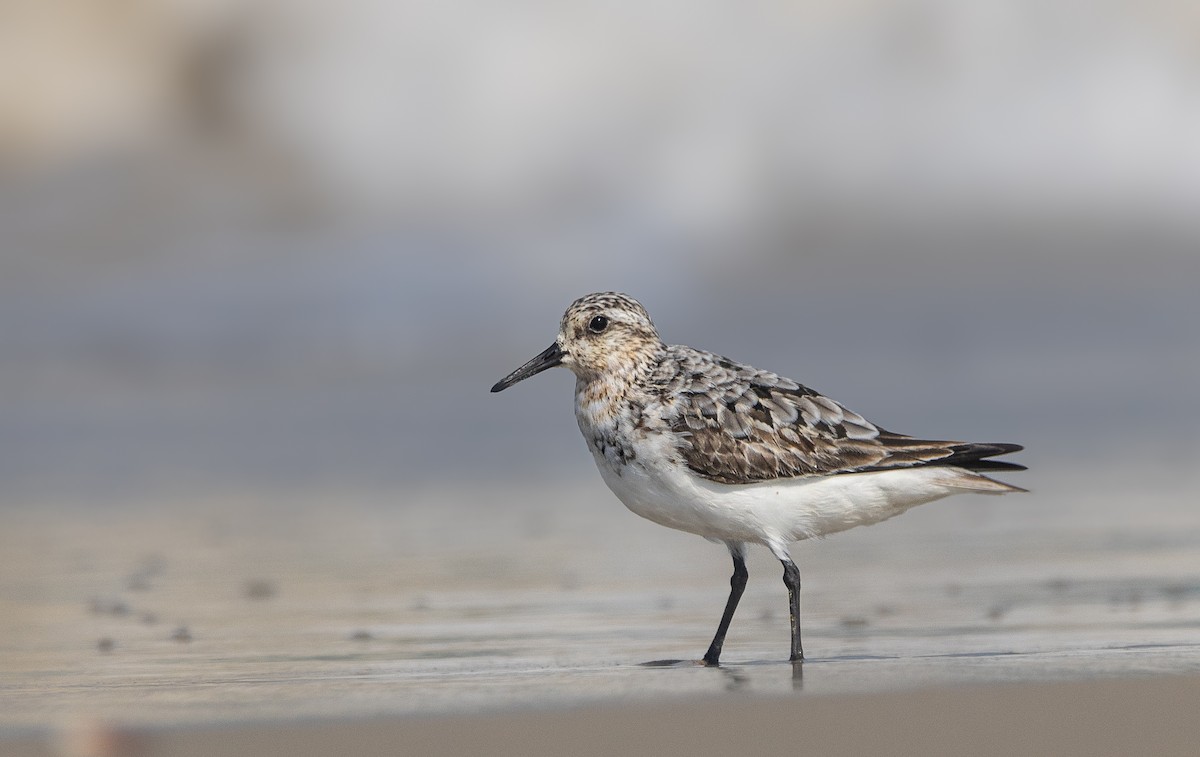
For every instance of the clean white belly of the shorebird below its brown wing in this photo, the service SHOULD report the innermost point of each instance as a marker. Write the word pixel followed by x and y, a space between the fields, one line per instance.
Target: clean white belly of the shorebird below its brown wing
pixel 776 513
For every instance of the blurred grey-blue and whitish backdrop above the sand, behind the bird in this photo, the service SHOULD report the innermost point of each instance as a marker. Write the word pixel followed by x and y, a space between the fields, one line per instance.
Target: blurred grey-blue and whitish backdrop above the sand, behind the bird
pixel 273 247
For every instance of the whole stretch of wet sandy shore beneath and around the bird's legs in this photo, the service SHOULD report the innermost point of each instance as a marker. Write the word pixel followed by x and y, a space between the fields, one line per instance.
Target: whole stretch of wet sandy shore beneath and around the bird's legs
pixel 454 618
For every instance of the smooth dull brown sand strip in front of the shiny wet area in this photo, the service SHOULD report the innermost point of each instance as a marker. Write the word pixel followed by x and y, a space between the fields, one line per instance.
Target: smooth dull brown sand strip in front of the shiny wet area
pixel 1065 719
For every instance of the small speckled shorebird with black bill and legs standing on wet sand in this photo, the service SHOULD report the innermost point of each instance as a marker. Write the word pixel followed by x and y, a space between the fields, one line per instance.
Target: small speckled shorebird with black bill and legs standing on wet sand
pixel 716 448
